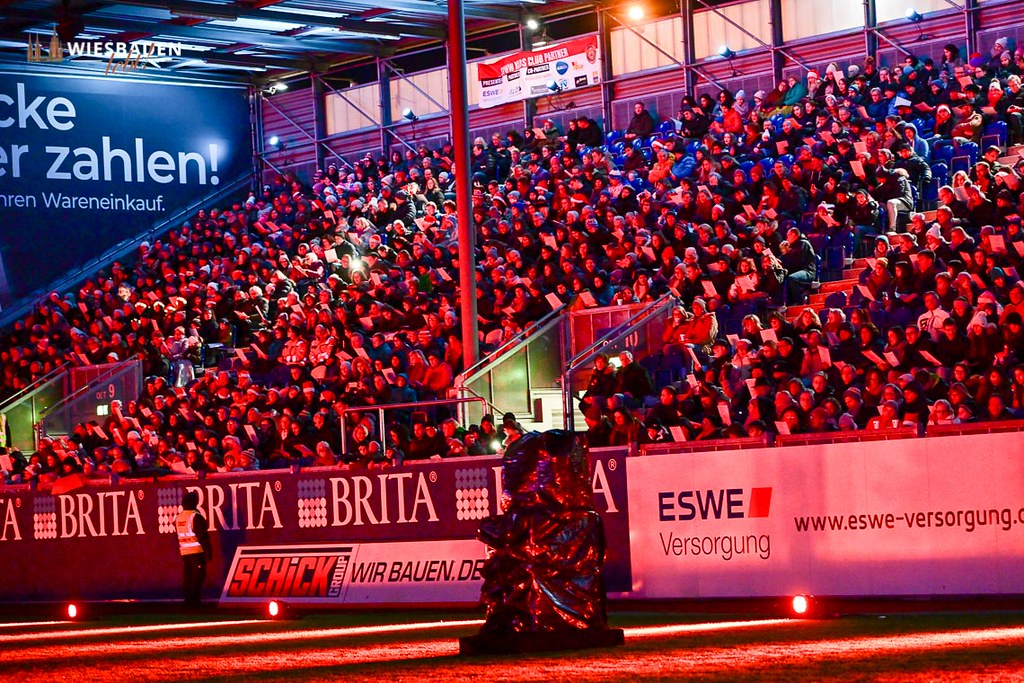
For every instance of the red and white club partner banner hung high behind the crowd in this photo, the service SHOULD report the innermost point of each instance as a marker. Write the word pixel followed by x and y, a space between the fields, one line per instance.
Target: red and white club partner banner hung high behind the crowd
pixel 568 63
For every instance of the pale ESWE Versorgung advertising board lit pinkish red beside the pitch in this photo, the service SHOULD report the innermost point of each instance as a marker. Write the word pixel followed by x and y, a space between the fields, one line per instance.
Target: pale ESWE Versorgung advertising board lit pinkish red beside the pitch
pixel 907 518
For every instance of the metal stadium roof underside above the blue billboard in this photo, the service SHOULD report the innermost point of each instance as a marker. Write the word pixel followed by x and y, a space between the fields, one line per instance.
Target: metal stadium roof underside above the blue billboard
pixel 244 40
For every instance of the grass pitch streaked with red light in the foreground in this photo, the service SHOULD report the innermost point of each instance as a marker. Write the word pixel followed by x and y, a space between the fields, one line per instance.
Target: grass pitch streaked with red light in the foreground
pixel 422 647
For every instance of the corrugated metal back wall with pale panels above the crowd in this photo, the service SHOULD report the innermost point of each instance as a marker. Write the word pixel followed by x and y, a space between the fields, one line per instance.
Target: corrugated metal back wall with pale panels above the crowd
pixel 817 33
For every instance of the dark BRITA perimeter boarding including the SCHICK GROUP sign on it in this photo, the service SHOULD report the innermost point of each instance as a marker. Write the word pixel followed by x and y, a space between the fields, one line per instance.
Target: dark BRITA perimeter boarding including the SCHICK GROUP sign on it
pixel 398 536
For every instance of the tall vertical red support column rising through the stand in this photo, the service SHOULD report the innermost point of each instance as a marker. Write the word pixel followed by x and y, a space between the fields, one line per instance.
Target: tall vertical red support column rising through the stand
pixel 459 108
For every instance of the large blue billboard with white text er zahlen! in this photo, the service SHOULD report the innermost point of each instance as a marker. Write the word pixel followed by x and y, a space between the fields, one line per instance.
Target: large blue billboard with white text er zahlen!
pixel 88 162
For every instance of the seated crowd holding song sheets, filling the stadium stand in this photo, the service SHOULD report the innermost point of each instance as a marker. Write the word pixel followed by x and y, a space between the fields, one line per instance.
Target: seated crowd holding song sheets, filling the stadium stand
pixel 260 325
